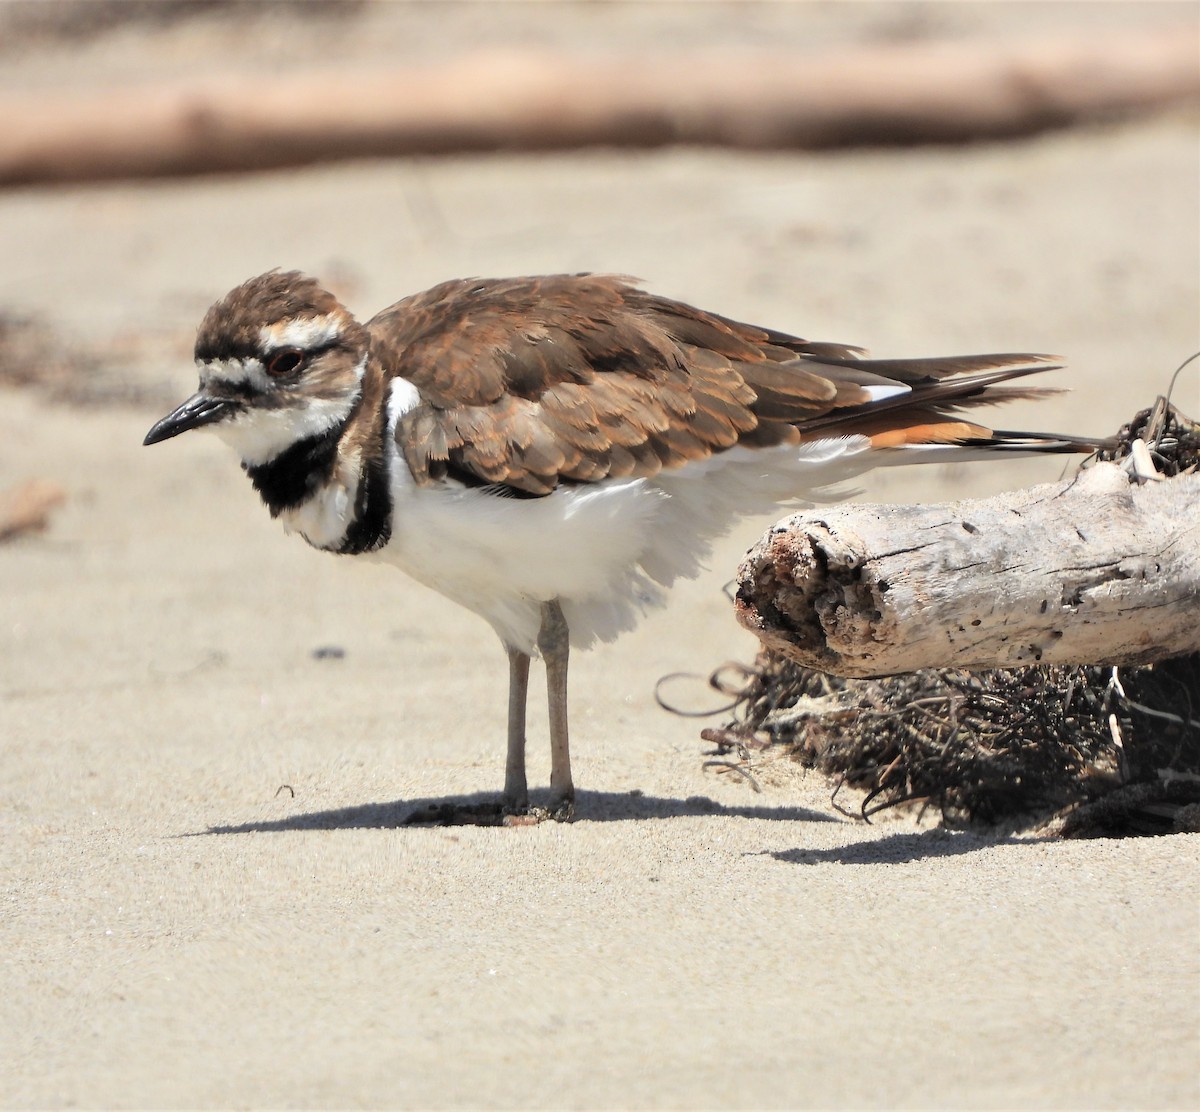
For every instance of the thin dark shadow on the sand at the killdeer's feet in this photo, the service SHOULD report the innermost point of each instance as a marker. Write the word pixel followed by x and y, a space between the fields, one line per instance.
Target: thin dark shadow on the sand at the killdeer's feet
pixel 590 807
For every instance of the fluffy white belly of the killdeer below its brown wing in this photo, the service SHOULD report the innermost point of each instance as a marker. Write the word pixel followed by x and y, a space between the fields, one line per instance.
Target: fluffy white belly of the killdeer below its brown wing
pixel 605 551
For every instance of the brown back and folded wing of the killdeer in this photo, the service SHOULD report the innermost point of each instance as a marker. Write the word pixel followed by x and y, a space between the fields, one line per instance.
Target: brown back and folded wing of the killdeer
pixel 532 382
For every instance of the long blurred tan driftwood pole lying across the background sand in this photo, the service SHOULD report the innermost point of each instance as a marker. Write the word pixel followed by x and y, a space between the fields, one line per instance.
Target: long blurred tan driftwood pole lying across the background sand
pixel 916 93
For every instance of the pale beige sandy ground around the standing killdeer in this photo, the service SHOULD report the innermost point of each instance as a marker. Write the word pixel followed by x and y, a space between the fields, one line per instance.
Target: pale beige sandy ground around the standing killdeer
pixel 181 930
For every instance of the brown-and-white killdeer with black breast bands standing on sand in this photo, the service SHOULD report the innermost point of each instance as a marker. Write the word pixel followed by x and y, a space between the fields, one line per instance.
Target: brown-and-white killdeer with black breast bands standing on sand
pixel 553 453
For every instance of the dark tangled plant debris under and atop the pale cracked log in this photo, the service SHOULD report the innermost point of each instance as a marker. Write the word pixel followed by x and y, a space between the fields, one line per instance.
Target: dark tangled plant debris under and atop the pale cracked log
pixel 1091 752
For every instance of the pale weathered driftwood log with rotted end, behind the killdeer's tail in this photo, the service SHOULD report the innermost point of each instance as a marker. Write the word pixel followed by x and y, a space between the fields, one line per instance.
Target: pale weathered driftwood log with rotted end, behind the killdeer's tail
pixel 1091 570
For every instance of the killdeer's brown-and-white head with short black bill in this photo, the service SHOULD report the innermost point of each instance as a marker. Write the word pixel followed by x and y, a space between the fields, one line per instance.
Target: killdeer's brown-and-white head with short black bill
pixel 280 360
